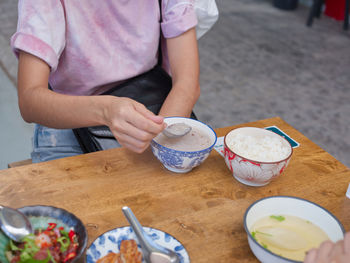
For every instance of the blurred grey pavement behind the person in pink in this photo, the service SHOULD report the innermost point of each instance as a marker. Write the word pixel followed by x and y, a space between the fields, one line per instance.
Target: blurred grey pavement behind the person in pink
pixel 260 60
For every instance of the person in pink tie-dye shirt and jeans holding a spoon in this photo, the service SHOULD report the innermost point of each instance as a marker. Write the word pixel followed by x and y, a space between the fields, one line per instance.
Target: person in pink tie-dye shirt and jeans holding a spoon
pixel 82 48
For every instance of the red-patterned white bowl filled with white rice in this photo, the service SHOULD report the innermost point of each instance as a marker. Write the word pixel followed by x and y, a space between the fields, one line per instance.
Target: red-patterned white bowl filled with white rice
pixel 256 156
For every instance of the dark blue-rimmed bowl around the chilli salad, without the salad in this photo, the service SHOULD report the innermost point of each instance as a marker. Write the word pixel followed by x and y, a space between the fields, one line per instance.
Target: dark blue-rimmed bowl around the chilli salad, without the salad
pixel 39 216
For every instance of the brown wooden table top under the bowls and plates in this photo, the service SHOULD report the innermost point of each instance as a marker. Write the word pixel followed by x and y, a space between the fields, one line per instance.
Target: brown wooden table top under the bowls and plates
pixel 203 209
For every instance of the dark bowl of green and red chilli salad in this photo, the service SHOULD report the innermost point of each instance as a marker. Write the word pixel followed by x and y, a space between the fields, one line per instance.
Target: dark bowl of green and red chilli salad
pixel 59 237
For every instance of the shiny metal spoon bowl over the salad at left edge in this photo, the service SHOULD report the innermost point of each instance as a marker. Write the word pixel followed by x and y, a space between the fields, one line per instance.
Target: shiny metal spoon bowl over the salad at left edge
pixel 14 224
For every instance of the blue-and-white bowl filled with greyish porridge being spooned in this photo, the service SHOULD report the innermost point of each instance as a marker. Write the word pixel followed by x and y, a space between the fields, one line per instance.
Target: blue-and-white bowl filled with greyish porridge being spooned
pixel 182 154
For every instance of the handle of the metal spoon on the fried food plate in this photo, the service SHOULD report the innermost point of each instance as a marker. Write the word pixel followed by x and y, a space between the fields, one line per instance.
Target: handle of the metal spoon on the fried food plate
pixel 141 236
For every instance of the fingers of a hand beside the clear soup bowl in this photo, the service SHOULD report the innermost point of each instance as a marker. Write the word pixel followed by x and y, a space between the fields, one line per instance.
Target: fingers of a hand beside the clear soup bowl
pixel 330 252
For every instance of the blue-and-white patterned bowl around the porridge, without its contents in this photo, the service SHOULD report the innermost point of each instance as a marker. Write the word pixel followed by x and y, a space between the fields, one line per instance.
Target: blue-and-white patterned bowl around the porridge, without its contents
pixel 183 161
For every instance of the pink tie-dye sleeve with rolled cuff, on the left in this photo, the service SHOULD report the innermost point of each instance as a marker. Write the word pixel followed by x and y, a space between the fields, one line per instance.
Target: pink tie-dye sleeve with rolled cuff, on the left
pixel 40 30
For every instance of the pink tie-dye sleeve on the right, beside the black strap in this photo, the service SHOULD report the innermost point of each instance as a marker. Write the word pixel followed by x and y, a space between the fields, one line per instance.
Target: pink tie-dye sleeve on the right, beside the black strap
pixel 178 17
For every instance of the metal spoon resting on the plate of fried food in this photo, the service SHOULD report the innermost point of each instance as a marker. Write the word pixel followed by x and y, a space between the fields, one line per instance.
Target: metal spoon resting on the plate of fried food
pixel 151 251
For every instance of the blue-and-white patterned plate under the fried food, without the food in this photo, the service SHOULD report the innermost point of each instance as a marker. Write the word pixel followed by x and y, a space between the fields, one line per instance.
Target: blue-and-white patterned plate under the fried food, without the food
pixel 110 242
